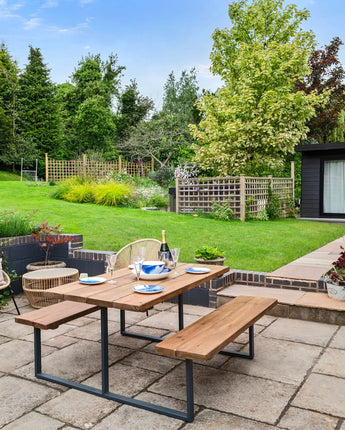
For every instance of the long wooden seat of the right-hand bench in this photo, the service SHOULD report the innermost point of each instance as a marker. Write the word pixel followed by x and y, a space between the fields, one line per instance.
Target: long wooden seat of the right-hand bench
pixel 209 335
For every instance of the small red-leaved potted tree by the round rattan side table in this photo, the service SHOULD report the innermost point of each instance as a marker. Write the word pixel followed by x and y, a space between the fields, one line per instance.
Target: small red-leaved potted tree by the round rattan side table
pixel 47 237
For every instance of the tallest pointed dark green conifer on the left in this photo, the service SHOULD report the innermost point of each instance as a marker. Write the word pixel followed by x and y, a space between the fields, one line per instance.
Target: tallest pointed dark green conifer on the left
pixel 39 118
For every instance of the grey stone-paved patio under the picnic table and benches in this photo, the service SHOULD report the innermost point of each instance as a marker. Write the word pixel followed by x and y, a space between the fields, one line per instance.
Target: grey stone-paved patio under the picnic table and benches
pixel 296 380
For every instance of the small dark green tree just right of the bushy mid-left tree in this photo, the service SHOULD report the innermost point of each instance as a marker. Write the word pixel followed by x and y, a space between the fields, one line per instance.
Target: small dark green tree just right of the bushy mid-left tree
pixel 132 108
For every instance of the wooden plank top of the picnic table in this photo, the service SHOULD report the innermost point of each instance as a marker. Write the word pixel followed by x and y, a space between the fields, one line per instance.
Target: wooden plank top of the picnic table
pixel 121 294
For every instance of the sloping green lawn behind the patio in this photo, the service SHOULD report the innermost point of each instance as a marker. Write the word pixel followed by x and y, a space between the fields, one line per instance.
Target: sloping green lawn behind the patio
pixel 260 246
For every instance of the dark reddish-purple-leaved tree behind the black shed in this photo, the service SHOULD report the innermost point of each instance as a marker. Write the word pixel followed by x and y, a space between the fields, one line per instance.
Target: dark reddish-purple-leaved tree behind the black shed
pixel 327 74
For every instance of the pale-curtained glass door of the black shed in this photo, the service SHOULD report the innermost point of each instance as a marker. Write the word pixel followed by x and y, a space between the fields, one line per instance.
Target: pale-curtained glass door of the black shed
pixel 334 187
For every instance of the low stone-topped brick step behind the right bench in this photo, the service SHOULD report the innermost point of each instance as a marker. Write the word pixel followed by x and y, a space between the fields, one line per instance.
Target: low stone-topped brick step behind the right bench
pixel 291 303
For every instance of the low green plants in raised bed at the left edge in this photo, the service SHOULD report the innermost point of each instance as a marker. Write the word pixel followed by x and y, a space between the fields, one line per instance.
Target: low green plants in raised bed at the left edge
pixel 15 224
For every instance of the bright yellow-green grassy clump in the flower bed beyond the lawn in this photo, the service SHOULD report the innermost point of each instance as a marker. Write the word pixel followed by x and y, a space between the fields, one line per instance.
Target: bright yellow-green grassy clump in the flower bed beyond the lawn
pixel 112 194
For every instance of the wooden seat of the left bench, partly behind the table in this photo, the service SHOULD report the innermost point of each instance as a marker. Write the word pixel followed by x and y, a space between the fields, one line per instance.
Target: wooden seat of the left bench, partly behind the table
pixel 52 316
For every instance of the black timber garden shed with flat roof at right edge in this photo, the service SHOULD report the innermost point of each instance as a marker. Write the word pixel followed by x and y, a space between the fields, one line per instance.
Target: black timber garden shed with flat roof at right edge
pixel 323 180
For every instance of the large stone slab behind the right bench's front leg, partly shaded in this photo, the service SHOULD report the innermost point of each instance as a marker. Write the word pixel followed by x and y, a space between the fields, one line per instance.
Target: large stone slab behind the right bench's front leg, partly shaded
pixel 247 396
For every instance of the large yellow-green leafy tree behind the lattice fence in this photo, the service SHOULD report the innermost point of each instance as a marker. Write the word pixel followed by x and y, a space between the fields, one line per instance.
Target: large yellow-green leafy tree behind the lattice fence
pixel 256 118
